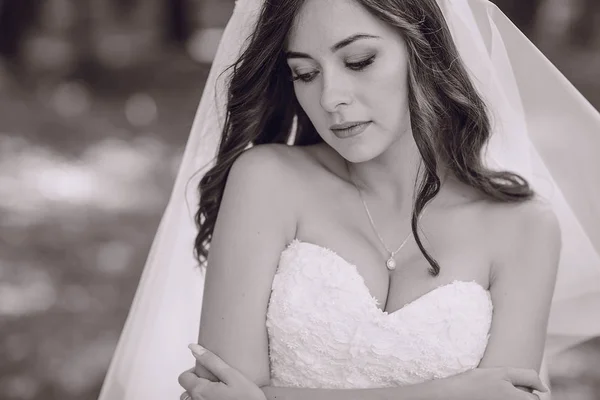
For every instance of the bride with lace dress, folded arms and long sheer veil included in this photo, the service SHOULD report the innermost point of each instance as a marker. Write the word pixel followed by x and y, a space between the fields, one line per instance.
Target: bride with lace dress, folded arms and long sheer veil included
pixel 366 244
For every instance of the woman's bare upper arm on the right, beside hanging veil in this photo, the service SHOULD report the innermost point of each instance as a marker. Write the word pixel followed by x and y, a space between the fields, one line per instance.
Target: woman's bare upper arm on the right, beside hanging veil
pixel 522 286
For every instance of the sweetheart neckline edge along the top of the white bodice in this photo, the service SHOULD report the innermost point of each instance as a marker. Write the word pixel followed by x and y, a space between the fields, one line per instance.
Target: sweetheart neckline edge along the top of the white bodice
pixel 354 270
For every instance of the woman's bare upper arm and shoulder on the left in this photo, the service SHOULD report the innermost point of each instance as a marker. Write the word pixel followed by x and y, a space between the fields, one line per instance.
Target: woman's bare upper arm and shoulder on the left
pixel 256 220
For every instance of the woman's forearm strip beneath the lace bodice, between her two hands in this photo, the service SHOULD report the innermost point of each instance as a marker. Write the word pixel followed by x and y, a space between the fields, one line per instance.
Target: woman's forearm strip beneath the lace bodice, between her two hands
pixel 431 390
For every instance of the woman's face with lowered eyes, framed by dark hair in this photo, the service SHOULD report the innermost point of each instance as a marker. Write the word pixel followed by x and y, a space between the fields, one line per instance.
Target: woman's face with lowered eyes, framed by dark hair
pixel 350 68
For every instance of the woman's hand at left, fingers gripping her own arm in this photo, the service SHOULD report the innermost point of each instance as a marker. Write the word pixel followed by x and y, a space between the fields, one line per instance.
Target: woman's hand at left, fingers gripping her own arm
pixel 232 386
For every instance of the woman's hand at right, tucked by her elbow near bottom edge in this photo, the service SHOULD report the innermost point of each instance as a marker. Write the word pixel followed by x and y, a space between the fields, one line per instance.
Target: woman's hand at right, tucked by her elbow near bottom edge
pixel 495 384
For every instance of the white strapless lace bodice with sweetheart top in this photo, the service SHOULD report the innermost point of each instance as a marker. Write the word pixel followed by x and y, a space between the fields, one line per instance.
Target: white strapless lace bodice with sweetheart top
pixel 326 331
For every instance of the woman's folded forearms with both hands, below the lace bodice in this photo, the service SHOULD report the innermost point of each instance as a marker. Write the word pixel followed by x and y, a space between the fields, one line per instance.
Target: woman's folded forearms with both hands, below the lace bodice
pixel 477 384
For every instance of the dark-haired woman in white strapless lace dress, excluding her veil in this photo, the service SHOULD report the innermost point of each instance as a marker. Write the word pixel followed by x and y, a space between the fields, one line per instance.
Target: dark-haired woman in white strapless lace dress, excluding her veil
pixel 368 91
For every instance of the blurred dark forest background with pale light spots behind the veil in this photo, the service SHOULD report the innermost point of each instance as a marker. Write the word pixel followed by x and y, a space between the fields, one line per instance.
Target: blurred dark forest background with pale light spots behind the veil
pixel 96 101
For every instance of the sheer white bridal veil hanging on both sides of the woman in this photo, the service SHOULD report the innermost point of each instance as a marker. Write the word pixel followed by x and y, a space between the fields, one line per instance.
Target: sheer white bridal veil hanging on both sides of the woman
pixel 544 129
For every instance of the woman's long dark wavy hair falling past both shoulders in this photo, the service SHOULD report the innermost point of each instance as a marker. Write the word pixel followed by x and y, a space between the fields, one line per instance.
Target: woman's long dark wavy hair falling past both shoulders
pixel 450 122
